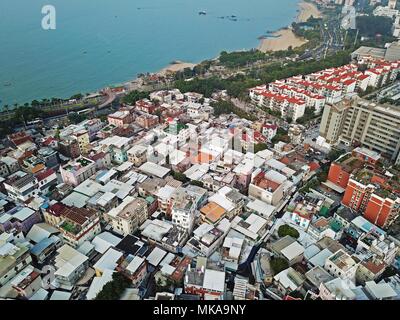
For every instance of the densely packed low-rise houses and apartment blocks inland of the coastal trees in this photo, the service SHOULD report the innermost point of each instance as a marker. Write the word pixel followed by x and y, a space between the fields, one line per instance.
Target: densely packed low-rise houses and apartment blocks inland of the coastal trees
pixel 291 192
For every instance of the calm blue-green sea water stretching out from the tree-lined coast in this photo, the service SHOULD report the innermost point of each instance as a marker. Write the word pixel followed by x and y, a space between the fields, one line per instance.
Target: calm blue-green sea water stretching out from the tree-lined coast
pixel 121 38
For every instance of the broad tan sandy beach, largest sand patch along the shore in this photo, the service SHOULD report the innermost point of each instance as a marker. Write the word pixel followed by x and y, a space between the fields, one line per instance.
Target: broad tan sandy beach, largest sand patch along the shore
pixel 283 40
